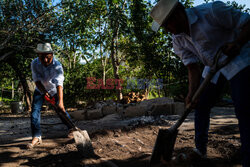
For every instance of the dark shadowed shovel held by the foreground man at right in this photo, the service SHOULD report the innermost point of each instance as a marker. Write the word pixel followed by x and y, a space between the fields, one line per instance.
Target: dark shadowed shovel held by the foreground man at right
pixel 166 138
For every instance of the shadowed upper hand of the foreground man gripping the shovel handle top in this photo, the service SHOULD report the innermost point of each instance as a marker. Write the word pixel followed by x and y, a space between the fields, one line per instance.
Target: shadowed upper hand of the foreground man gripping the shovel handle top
pixel 231 49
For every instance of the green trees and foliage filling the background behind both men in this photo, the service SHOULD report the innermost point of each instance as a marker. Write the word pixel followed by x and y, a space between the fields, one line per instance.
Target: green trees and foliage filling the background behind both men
pixel 102 39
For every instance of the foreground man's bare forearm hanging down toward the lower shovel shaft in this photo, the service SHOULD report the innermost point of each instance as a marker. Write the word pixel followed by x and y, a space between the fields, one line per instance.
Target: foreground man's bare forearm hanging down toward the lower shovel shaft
pixel 194 76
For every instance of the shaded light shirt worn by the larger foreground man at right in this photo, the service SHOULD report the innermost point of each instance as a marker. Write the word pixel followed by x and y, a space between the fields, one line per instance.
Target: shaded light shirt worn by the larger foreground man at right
pixel 211 26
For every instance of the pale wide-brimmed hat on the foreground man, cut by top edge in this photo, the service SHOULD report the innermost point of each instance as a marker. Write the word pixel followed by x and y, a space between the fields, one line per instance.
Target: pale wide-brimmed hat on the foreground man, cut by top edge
pixel 161 11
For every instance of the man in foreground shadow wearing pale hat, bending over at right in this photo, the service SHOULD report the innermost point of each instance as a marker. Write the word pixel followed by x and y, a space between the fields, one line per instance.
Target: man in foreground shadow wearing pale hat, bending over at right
pixel 197 34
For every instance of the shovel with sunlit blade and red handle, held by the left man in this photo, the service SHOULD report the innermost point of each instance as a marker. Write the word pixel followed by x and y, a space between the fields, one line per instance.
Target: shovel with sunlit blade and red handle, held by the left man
pixel 81 137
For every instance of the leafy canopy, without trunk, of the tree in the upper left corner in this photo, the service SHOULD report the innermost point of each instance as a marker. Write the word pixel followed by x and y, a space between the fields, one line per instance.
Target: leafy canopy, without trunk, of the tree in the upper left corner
pixel 23 24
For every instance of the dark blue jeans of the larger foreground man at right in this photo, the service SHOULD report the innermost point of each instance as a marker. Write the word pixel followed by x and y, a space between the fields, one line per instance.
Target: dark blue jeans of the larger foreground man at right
pixel 240 86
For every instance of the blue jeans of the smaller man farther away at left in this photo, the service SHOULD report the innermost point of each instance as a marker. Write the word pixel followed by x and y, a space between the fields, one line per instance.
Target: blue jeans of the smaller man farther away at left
pixel 37 103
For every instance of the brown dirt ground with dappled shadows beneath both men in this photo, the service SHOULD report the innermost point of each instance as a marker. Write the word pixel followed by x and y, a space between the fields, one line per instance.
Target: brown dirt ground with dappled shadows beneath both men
pixel 118 142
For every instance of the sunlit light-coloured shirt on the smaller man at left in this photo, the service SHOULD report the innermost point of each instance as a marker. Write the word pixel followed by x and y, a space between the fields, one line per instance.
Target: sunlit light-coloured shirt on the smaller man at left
pixel 50 77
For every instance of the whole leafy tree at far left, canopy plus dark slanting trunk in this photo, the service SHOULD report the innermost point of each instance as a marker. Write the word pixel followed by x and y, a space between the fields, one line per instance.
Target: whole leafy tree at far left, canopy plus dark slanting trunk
pixel 23 24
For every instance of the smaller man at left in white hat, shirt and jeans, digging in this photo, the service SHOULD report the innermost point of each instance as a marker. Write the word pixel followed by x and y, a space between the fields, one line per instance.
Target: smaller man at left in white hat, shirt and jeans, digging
pixel 47 73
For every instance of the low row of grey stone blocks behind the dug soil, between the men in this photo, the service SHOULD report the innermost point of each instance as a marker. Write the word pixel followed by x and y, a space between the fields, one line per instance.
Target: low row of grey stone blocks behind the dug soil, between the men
pixel 153 107
